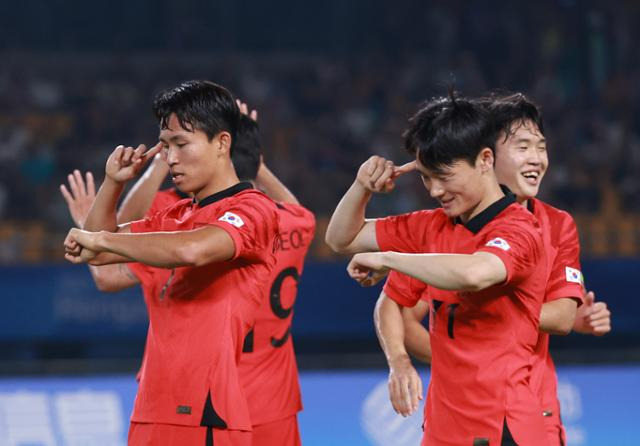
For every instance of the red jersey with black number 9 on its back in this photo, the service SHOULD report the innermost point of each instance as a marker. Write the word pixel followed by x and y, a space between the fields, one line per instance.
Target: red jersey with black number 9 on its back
pixel 268 369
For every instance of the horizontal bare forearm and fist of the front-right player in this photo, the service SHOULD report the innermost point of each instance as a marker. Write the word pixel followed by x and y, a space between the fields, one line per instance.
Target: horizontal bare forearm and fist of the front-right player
pixel 460 272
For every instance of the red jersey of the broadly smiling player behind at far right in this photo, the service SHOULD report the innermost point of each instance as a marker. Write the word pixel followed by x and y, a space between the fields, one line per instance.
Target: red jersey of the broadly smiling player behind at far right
pixel 562 248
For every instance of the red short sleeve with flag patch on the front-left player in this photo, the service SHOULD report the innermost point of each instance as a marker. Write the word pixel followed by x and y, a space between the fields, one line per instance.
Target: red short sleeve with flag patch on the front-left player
pixel 252 223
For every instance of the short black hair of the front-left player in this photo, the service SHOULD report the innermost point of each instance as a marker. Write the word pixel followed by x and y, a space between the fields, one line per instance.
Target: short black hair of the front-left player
pixel 201 105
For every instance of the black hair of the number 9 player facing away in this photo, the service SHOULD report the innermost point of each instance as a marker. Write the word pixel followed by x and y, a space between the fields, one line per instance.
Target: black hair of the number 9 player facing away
pixel 247 149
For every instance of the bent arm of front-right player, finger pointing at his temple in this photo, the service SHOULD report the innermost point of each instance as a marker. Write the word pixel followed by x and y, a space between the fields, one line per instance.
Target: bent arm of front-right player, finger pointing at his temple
pixel 348 231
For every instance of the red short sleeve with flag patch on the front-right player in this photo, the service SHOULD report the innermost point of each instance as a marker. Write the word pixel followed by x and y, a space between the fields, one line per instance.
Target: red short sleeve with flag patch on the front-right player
pixel 518 244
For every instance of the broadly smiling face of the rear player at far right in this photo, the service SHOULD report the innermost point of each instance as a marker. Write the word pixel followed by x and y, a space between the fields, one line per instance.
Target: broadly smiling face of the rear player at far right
pixel 521 160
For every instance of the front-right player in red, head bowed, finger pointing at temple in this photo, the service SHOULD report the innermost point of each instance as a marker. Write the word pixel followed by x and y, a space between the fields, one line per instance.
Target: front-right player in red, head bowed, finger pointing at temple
pixel 485 269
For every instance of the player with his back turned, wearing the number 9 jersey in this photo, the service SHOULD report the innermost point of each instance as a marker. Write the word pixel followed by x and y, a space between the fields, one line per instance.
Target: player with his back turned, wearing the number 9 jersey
pixel 268 369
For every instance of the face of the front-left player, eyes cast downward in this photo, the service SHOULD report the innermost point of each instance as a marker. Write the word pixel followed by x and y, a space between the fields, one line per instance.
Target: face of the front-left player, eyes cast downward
pixel 195 162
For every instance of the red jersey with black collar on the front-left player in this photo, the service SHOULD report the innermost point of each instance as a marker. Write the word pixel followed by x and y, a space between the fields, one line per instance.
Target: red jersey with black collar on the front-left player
pixel 199 316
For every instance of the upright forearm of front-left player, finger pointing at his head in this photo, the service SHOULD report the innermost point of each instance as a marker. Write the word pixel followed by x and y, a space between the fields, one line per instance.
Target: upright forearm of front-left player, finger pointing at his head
pixel 123 164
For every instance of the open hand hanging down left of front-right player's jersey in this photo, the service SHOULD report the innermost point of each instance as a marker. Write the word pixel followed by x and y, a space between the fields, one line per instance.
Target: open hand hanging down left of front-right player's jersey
pixel 405 386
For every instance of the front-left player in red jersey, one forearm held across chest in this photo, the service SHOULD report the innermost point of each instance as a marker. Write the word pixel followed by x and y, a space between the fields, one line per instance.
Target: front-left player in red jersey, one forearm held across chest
pixel 212 255
